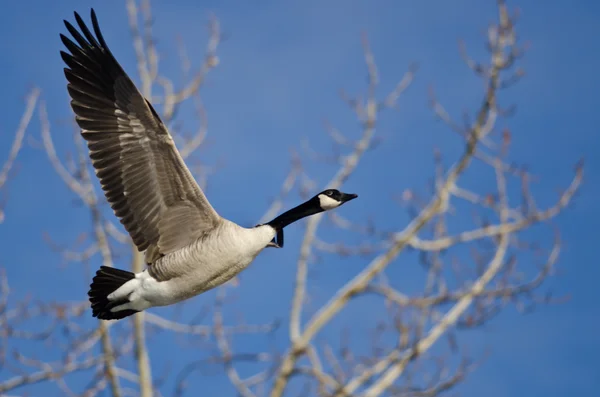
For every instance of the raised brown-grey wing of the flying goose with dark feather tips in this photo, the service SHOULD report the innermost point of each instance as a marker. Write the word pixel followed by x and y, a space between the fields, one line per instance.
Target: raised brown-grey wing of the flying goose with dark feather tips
pixel 142 174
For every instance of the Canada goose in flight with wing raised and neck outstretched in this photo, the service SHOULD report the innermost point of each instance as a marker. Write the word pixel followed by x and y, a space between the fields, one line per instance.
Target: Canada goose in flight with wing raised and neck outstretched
pixel 188 247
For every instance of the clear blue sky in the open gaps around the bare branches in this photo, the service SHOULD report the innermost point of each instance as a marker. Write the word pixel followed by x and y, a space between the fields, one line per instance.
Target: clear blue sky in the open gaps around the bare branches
pixel 281 68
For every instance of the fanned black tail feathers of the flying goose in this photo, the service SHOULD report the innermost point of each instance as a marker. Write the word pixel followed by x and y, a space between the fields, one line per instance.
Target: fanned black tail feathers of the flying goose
pixel 106 281
